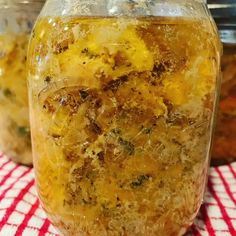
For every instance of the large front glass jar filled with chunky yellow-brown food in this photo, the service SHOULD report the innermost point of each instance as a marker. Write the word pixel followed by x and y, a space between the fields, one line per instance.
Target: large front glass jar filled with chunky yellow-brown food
pixel 122 100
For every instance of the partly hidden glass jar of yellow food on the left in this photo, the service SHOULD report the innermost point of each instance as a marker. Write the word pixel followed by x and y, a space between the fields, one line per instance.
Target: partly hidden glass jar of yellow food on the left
pixel 16 20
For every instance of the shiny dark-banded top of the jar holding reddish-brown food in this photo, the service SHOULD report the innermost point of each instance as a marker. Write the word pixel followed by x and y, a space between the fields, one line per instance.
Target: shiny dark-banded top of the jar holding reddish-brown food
pixel 224 14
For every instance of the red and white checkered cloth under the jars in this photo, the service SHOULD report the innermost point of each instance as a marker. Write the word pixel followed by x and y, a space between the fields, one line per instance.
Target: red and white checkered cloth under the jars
pixel 21 214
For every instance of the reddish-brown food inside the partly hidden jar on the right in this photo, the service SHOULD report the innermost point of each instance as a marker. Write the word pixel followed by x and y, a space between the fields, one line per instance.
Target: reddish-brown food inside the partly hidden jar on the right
pixel 224 149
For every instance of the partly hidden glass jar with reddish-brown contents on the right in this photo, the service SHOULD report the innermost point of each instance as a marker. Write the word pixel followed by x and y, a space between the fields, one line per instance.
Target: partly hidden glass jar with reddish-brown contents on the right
pixel 224 148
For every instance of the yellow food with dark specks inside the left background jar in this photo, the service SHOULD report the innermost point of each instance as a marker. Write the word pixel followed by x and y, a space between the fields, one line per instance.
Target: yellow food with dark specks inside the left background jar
pixel 14 120
